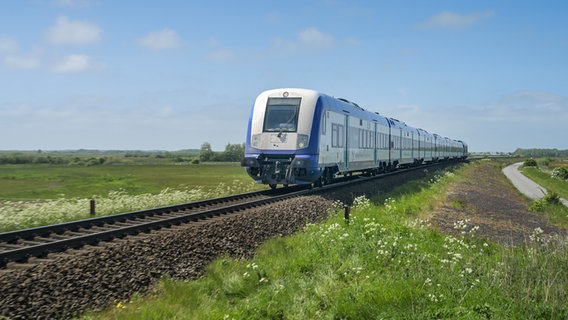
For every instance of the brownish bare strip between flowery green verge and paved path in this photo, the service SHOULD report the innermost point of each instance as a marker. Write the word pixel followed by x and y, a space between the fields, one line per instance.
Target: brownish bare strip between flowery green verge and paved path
pixel 487 199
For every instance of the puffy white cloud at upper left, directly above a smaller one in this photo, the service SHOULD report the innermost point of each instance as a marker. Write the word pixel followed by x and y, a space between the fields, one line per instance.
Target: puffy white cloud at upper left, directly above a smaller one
pixel 66 31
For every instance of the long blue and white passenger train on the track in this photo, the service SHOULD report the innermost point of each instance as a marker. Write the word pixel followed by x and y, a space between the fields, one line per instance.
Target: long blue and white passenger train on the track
pixel 302 136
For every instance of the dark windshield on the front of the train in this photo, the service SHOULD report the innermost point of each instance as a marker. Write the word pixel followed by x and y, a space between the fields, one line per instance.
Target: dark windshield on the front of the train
pixel 282 115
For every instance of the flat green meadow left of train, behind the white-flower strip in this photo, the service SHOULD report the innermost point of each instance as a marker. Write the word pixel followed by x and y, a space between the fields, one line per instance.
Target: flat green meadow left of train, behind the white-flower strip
pixel 44 181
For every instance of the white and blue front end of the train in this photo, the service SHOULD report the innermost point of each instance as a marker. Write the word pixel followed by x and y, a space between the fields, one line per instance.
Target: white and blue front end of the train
pixel 282 138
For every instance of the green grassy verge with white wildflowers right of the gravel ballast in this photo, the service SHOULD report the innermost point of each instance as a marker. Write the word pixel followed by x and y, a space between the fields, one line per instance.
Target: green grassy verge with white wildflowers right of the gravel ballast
pixel 386 263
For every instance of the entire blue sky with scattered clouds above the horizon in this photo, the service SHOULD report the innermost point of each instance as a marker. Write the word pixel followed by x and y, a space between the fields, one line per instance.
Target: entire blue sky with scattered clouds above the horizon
pixel 172 75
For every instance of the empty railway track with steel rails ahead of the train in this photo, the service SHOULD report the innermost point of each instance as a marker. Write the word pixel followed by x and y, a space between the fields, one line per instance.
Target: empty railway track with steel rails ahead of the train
pixel 19 246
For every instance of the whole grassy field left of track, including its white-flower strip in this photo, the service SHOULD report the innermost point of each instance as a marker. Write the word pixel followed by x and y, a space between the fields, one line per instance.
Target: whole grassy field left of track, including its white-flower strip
pixel 33 195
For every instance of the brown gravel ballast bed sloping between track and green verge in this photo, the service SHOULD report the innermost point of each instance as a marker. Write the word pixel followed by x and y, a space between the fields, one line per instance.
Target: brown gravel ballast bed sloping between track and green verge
pixel 67 284
